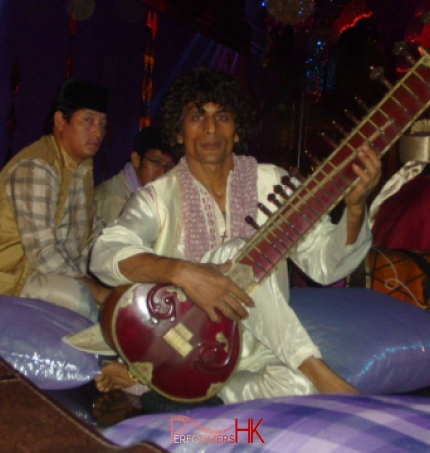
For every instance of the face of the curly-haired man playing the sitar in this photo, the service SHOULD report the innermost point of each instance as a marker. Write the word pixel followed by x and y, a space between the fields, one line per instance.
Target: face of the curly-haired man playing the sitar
pixel 208 133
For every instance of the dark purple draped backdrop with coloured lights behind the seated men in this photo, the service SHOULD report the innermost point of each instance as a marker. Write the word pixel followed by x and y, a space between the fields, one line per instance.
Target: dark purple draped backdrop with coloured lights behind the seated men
pixel 300 76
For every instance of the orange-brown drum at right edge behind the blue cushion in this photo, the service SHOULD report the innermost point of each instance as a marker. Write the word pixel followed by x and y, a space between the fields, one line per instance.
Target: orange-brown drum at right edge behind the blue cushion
pixel 402 274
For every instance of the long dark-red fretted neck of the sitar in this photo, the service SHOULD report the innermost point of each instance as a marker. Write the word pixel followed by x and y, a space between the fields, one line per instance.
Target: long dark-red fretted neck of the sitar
pixel 335 177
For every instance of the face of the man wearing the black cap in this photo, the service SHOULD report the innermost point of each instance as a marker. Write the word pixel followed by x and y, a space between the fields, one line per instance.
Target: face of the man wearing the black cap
pixel 82 135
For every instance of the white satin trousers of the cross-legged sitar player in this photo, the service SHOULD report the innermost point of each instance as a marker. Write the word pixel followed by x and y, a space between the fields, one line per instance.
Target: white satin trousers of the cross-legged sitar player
pixel 274 343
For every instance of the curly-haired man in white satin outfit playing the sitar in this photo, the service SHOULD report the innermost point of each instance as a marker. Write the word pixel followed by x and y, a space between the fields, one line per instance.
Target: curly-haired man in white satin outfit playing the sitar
pixel 168 226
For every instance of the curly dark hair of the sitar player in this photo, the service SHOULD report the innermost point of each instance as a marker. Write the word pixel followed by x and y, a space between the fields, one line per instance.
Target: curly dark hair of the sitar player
pixel 203 85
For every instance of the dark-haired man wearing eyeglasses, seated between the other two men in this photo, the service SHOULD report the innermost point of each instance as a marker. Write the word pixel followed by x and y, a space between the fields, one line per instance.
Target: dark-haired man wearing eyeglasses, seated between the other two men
pixel 149 160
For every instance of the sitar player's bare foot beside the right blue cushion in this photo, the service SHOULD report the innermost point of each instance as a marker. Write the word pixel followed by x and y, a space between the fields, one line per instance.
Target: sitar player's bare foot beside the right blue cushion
pixel 324 378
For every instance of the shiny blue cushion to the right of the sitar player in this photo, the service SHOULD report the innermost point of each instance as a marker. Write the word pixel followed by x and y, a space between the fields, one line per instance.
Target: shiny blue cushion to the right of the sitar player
pixel 377 343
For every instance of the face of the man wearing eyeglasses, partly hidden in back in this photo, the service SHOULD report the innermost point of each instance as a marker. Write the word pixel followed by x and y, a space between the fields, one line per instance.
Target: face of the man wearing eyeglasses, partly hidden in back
pixel 153 165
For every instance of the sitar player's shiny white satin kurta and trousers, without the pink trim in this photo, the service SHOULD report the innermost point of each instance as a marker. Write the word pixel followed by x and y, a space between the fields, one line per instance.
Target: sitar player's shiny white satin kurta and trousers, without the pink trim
pixel 274 341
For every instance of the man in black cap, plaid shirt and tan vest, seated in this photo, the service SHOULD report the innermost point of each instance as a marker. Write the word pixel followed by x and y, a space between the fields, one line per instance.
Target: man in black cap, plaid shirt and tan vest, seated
pixel 46 205
